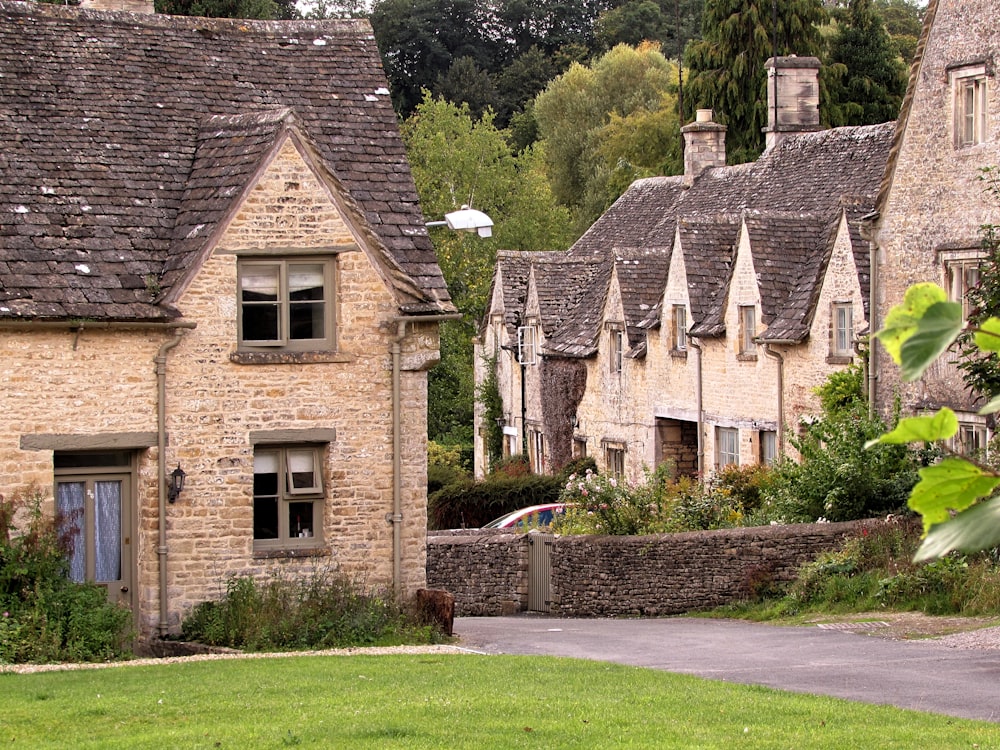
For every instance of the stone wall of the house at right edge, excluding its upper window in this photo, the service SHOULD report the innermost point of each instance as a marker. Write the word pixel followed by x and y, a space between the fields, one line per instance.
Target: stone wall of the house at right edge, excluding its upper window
pixel 936 201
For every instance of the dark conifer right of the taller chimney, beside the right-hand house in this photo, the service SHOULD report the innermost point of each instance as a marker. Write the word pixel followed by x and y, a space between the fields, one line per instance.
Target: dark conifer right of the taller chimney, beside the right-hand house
pixel 872 88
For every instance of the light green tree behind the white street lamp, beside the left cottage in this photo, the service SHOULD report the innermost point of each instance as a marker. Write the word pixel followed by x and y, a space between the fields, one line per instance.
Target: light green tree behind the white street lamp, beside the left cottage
pixel 457 159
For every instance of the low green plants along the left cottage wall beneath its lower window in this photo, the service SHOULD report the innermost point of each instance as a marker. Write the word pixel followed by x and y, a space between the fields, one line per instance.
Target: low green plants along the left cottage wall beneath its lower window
pixel 323 610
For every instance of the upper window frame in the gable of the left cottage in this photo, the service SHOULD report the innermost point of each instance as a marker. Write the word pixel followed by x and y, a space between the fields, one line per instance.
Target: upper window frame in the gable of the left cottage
pixel 283 304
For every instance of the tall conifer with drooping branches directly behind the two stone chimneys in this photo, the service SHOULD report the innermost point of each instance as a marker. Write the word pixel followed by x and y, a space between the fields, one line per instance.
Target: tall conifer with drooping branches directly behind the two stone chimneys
pixel 726 68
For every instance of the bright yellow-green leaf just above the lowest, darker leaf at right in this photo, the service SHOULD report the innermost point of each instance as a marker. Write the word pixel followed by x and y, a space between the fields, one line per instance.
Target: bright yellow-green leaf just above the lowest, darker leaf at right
pixel 951 485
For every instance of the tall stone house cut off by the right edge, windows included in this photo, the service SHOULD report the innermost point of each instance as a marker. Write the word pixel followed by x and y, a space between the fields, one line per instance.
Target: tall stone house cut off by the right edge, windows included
pixel 932 202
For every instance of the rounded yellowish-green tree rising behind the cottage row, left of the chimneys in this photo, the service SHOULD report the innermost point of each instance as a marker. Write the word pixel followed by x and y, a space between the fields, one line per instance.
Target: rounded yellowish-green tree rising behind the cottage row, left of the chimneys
pixel 605 125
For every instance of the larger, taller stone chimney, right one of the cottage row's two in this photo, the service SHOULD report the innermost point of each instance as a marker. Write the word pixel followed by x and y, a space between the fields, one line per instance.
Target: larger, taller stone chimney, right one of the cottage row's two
pixel 792 97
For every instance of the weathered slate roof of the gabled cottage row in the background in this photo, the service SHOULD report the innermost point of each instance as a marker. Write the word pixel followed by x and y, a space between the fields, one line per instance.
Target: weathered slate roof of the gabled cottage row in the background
pixel 792 198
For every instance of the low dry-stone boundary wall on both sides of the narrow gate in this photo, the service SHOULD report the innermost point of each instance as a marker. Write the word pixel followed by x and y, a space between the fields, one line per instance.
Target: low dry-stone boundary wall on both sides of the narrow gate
pixel 594 576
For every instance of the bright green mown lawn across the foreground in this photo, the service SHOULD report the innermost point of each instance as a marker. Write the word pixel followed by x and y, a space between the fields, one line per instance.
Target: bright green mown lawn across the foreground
pixel 441 700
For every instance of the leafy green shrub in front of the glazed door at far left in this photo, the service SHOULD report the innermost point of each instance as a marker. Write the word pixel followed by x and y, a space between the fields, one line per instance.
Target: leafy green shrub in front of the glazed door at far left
pixel 44 616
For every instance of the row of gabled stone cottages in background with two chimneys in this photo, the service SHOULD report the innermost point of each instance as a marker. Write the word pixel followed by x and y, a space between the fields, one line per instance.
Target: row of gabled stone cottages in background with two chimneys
pixel 692 321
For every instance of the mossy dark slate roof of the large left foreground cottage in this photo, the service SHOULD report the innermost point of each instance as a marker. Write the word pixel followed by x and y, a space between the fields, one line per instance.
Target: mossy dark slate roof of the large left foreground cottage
pixel 127 138
